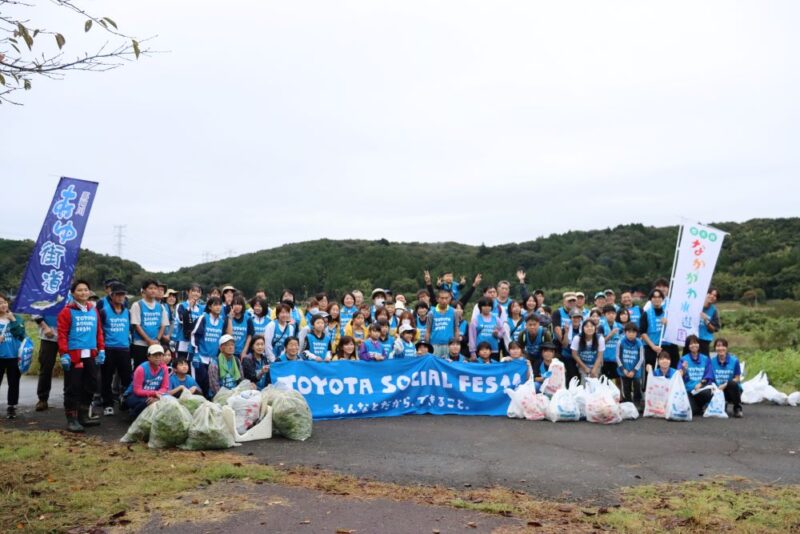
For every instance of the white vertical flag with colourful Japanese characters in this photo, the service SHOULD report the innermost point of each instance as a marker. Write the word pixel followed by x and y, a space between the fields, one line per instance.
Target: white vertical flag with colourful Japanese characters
pixel 698 251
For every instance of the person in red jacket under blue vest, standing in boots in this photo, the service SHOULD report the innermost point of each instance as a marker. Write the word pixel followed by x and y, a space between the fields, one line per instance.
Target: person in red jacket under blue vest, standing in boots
pixel 82 349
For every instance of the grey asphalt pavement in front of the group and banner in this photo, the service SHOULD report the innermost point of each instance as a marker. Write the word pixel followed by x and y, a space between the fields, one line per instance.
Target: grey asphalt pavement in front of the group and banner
pixel 565 460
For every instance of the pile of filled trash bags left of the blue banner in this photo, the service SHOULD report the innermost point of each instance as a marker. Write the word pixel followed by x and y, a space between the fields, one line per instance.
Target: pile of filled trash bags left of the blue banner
pixel 234 415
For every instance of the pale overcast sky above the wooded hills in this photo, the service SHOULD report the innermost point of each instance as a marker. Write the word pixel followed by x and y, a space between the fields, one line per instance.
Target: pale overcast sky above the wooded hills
pixel 276 122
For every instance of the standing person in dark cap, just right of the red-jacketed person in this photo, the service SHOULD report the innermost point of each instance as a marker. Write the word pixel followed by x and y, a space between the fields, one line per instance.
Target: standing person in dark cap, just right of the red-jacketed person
pixel 116 323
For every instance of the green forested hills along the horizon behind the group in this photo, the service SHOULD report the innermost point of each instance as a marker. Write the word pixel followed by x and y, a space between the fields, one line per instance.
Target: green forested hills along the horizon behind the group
pixel 760 254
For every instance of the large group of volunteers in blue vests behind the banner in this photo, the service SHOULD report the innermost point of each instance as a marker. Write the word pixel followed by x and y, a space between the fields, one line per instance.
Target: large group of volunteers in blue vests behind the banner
pixel 163 343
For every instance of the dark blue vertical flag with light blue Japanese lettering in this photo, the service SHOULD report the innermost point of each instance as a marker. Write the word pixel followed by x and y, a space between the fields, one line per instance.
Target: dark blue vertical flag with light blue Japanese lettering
pixel 52 263
